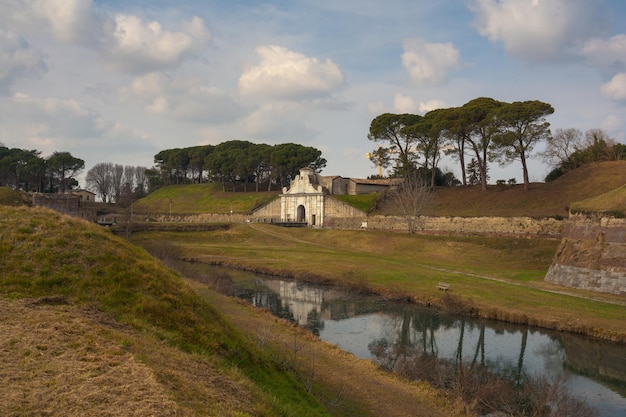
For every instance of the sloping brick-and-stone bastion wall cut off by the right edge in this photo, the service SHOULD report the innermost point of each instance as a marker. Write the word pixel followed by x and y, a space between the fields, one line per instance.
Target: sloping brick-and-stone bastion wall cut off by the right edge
pixel 592 255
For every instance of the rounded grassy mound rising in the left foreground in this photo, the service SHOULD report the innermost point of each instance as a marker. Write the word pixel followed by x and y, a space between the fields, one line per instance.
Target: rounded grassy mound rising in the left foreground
pixel 79 267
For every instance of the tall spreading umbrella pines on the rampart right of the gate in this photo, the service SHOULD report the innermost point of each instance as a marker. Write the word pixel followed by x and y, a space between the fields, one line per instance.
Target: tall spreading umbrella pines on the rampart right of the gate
pixel 484 129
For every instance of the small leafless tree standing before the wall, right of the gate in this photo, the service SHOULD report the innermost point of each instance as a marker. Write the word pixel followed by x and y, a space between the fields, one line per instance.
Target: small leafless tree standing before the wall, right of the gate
pixel 411 195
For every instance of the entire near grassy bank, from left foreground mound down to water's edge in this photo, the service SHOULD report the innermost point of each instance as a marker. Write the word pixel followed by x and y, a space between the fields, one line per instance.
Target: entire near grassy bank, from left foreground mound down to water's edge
pixel 93 325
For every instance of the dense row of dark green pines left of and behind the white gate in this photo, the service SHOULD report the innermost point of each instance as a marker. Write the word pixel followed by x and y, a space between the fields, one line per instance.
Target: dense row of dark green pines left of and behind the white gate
pixel 234 162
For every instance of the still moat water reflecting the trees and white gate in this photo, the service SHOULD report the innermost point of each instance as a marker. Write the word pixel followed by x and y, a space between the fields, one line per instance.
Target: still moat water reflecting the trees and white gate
pixel 594 371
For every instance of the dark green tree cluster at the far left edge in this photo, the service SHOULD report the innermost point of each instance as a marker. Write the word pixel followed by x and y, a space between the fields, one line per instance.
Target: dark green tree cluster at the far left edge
pixel 27 170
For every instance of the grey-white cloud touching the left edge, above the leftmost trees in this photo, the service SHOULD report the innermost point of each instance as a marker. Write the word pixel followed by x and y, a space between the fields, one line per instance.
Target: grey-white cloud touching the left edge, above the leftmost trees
pixel 17 60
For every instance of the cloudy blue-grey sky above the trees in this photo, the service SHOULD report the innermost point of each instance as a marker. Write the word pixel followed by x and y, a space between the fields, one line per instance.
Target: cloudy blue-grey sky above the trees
pixel 120 80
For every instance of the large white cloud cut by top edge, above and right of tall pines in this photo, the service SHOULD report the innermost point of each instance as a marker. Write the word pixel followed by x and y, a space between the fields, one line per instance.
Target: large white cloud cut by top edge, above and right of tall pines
pixel 536 30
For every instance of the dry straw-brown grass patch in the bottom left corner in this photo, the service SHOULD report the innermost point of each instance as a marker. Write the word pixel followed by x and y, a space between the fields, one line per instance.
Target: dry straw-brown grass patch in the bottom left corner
pixel 61 360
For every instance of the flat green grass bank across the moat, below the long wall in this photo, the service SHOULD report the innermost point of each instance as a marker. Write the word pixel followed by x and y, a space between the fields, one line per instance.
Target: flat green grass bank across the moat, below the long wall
pixel 497 278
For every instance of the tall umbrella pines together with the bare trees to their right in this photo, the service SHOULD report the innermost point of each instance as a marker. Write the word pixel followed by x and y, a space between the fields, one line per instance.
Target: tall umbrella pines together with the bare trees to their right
pixel 484 131
